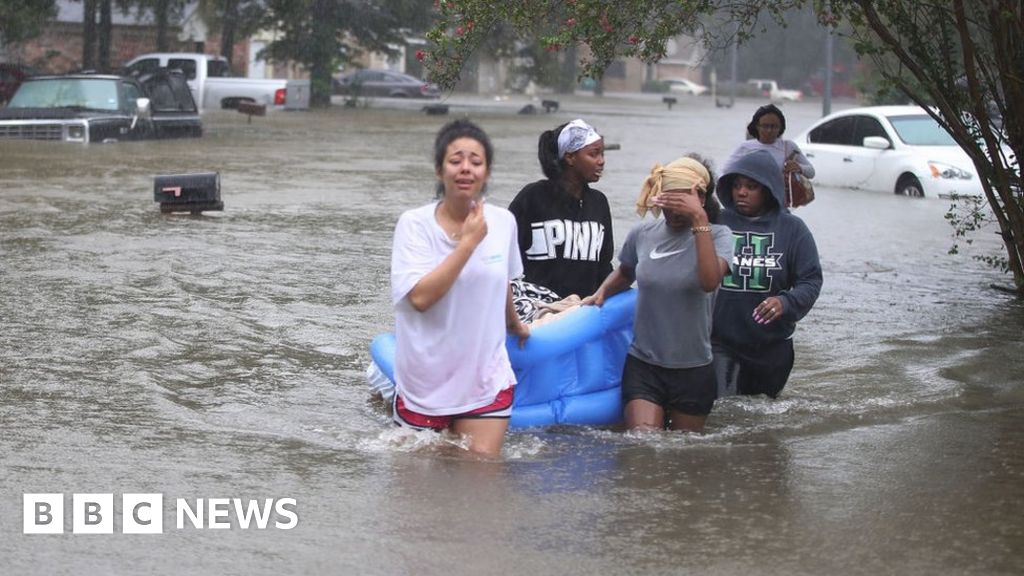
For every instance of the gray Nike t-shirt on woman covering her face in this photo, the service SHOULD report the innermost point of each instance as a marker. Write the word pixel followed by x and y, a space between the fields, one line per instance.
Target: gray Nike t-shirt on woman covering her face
pixel 672 326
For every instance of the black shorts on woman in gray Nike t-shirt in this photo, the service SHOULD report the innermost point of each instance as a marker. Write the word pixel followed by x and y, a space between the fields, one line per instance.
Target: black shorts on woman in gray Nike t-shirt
pixel 691 391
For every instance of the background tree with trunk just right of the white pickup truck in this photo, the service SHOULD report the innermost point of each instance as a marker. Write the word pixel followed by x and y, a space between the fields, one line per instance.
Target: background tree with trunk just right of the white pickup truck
pixel 324 34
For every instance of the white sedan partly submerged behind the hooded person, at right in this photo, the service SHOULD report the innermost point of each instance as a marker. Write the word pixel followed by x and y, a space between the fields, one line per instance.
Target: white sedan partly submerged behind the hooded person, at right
pixel 899 149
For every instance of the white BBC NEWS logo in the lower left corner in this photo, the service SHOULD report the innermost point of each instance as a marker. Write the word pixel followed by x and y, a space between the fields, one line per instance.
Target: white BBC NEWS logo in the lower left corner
pixel 144 514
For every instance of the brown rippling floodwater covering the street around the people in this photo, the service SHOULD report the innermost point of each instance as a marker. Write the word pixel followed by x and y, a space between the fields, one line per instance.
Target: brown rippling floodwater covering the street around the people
pixel 223 357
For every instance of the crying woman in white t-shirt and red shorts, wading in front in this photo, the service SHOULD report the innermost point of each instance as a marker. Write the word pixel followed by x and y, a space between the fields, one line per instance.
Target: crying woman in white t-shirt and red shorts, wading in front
pixel 451 267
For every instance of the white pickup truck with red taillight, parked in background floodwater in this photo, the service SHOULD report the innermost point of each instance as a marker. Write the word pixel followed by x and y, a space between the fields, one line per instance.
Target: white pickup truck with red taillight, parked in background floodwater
pixel 208 78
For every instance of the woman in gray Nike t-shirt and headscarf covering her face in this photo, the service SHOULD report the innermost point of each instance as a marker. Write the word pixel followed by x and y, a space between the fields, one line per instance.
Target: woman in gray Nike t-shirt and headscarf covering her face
pixel 678 263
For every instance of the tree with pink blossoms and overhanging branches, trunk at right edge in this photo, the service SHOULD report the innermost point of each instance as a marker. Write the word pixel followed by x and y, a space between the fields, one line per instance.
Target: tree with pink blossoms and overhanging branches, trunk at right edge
pixel 962 59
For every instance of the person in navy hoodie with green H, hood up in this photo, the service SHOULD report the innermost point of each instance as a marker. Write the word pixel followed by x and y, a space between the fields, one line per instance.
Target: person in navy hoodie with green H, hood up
pixel 776 280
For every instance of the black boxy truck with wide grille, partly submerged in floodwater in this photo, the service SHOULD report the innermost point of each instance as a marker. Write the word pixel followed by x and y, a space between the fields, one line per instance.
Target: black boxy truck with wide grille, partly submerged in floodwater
pixel 92 108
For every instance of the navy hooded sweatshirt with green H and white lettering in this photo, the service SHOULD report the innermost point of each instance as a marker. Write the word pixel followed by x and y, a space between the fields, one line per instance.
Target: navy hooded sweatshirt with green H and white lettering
pixel 775 256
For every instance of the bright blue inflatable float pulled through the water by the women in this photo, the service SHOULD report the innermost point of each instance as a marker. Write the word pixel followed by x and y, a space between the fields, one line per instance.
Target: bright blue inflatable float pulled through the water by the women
pixel 569 374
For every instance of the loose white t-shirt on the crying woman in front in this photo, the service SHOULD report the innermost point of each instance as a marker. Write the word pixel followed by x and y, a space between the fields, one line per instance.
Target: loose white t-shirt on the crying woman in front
pixel 451 359
